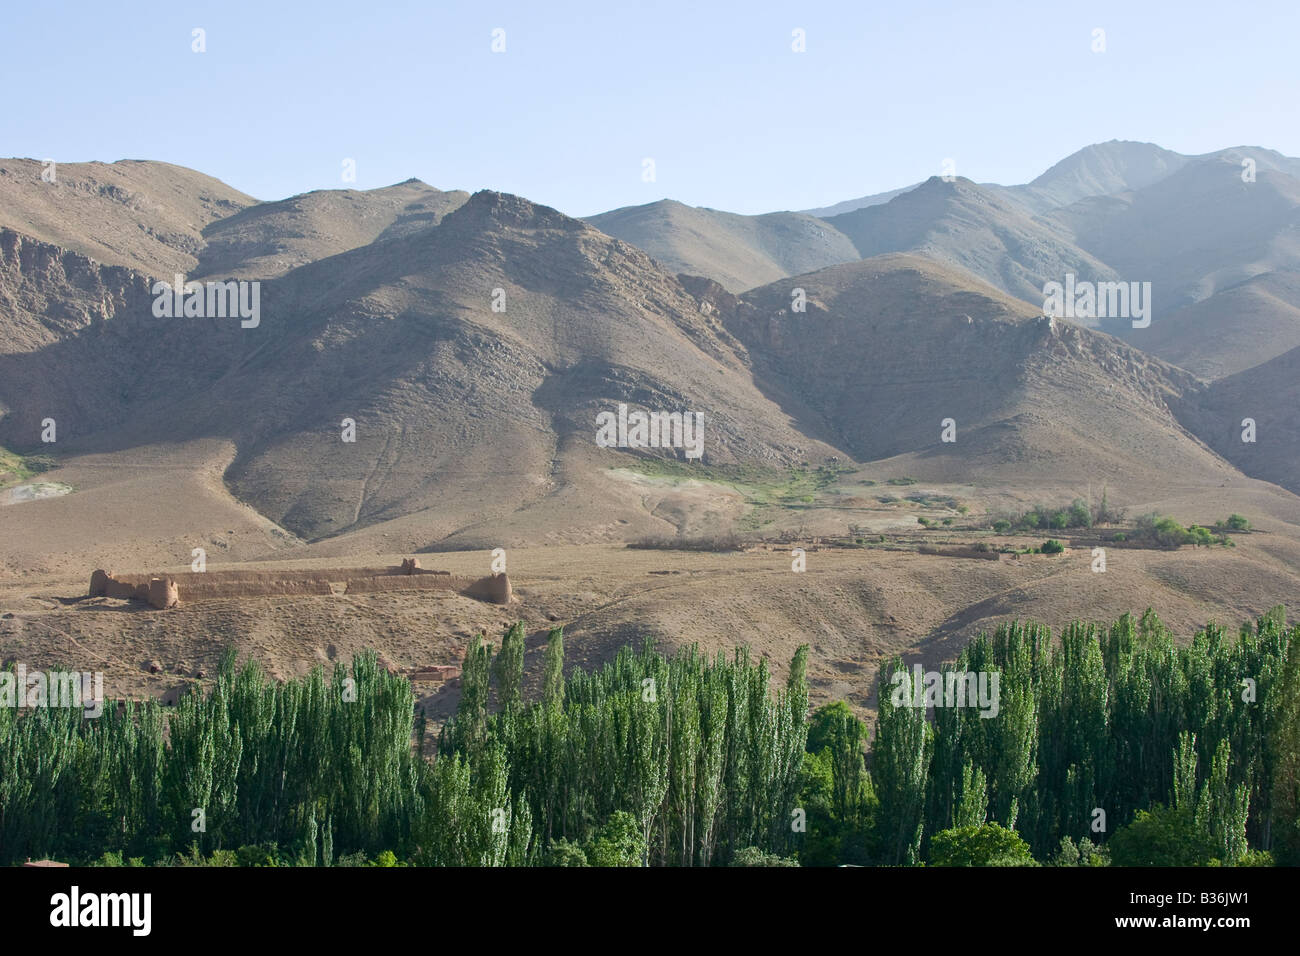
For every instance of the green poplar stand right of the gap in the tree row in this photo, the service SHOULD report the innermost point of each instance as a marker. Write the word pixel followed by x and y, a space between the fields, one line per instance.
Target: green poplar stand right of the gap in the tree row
pixel 1094 729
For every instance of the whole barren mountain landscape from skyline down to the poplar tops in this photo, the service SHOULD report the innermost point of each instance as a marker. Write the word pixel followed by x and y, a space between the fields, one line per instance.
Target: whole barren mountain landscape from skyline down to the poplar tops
pixel 428 369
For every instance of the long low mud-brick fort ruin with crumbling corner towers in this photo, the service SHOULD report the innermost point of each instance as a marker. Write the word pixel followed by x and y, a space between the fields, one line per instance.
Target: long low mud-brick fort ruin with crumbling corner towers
pixel 168 591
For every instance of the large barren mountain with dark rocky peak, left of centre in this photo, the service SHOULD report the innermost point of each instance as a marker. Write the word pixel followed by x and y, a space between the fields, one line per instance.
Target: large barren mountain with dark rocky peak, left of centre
pixel 450 396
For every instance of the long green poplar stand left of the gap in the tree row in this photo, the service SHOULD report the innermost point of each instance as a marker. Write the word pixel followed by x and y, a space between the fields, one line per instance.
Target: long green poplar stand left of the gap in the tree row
pixel 647 760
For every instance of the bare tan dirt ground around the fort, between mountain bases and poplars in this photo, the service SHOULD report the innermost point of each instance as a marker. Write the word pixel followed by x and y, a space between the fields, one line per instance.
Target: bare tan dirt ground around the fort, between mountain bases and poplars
pixel 853 605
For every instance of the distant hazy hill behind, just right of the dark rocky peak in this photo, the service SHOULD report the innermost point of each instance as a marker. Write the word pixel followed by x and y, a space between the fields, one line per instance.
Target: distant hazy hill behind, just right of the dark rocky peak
pixel 736 252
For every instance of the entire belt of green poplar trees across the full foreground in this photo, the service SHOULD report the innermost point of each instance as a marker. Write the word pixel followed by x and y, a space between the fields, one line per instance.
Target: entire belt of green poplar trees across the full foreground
pixel 677 762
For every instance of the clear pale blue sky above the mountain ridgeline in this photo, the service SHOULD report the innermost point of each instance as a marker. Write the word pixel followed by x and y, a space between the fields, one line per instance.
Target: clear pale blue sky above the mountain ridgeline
pixel 586 92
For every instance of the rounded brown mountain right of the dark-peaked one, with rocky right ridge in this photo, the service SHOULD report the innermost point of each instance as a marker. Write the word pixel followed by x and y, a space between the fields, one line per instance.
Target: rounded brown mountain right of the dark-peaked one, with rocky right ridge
pixel 894 347
